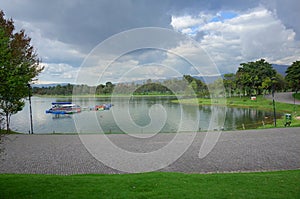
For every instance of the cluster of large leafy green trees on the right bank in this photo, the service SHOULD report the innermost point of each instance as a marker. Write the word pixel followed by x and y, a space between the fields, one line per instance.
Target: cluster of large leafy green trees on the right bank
pixel 259 77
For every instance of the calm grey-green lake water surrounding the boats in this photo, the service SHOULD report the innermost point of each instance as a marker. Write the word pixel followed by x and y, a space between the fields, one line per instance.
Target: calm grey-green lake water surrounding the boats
pixel 137 115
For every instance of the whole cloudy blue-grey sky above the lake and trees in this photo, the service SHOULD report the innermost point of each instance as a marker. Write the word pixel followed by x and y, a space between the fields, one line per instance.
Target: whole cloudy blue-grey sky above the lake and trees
pixel 95 41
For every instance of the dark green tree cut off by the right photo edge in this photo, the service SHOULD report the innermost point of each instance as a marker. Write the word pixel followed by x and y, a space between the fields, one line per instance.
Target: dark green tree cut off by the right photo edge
pixel 293 75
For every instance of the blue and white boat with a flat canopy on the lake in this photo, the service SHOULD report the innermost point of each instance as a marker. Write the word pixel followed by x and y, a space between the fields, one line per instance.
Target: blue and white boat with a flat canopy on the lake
pixel 64 108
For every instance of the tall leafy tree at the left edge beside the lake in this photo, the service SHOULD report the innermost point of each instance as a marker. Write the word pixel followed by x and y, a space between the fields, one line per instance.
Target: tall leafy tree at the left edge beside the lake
pixel 19 66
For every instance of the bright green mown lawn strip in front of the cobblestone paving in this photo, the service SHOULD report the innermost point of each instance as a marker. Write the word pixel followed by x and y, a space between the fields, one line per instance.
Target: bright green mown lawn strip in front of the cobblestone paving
pixel 279 184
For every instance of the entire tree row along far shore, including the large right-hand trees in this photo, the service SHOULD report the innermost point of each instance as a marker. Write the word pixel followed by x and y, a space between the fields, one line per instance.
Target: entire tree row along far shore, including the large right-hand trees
pixel 252 78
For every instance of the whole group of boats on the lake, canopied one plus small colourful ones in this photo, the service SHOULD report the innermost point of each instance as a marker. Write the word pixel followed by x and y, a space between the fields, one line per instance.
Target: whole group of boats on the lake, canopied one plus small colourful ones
pixel 70 108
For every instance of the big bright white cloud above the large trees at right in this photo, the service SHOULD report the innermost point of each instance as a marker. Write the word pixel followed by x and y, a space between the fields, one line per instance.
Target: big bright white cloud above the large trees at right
pixel 249 36
